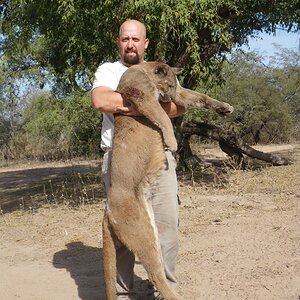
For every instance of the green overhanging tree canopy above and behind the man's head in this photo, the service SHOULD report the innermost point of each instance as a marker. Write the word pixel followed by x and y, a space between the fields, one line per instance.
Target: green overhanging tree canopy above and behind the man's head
pixel 65 40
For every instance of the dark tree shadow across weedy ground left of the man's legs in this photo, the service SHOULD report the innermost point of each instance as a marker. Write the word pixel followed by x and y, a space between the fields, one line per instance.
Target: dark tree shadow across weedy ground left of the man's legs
pixel 30 188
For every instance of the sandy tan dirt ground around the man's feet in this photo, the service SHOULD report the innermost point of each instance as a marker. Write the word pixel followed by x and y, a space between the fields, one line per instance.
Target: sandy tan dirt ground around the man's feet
pixel 239 235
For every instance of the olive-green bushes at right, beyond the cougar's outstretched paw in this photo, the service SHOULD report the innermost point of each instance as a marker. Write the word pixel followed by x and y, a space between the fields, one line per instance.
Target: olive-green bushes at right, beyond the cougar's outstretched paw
pixel 259 95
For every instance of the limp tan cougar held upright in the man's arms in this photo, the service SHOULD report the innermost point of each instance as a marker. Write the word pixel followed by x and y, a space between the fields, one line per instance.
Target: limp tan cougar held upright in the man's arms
pixel 138 158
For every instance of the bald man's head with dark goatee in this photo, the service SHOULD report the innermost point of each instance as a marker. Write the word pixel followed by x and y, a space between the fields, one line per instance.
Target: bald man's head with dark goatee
pixel 132 43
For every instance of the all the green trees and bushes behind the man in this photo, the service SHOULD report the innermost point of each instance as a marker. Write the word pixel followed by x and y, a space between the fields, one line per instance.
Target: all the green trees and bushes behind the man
pixel 61 43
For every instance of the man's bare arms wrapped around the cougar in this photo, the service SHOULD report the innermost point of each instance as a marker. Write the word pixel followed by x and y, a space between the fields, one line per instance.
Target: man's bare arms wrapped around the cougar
pixel 104 99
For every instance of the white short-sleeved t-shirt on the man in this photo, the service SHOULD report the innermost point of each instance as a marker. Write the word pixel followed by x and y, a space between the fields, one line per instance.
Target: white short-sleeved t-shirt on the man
pixel 108 74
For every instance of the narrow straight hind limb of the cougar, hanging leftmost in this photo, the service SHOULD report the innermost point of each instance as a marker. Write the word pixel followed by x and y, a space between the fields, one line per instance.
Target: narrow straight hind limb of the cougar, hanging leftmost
pixel 109 259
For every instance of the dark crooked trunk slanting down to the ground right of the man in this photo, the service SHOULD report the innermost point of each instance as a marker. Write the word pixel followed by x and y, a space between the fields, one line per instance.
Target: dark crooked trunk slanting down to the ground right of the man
pixel 230 143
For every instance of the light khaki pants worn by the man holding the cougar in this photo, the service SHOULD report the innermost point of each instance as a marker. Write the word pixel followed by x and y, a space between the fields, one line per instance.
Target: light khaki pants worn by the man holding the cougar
pixel 165 210
